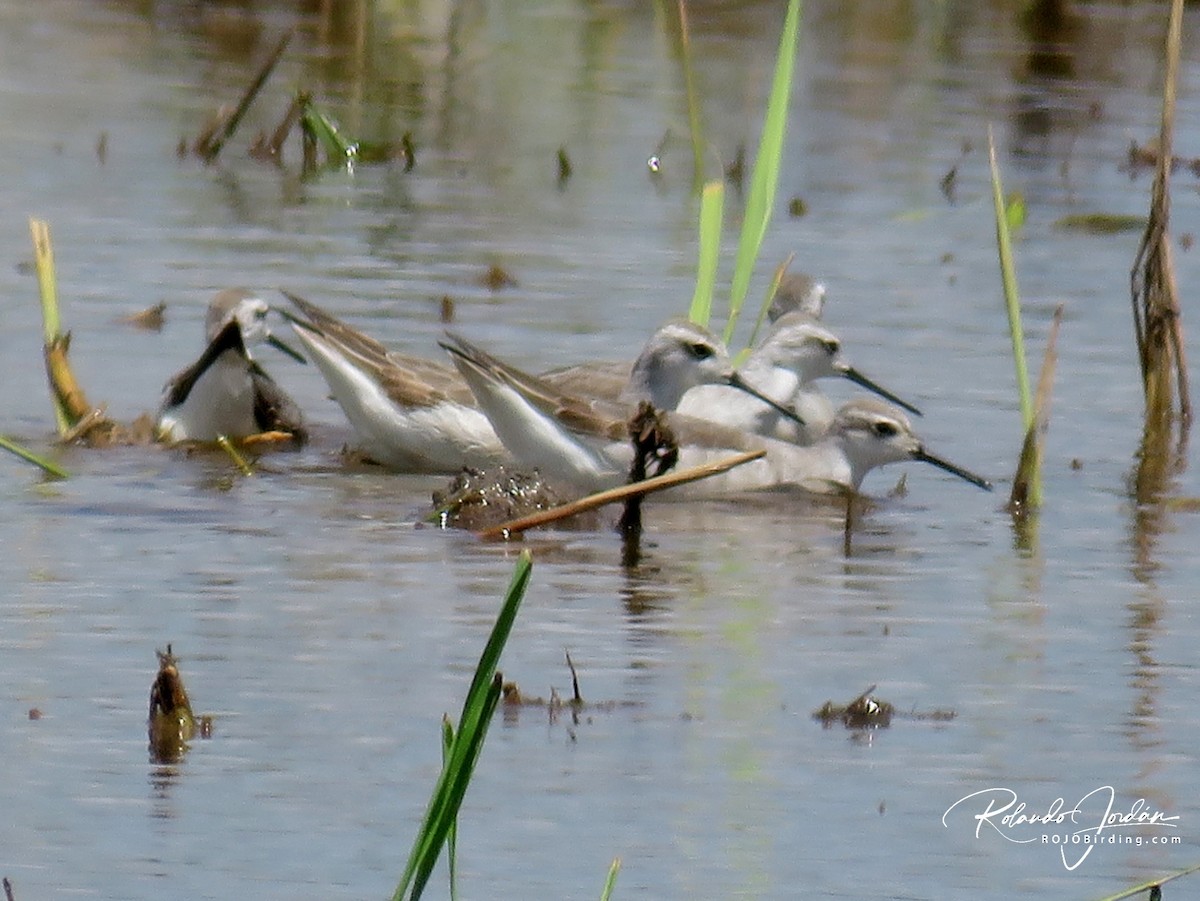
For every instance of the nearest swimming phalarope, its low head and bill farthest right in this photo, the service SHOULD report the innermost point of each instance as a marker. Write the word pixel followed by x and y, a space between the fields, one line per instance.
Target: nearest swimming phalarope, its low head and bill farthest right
pixel 585 446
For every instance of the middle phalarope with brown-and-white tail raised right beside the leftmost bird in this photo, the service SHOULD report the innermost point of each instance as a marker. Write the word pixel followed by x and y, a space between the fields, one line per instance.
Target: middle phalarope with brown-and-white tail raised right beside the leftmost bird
pixel 416 416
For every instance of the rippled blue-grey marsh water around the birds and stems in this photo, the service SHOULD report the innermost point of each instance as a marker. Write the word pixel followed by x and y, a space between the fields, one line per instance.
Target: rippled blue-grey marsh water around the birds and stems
pixel 327 632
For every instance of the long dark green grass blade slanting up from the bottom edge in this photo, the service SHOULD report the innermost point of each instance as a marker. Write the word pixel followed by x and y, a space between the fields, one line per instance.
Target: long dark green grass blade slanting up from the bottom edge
pixel 469 741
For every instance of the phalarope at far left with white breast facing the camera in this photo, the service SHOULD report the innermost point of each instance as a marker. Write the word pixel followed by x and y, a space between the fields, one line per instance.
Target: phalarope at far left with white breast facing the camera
pixel 226 393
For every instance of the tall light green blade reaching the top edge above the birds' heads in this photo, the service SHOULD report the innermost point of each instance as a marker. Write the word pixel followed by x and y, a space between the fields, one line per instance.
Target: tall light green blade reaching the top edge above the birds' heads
pixel 766 167
